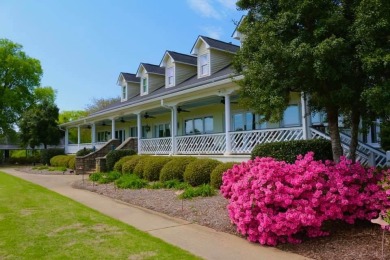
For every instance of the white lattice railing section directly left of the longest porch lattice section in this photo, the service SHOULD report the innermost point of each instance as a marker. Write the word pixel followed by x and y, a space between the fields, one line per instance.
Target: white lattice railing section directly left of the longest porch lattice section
pixel 201 144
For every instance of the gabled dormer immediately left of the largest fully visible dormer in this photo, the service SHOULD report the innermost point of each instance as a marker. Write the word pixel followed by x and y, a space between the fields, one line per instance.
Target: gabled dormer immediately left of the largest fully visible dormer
pixel 178 67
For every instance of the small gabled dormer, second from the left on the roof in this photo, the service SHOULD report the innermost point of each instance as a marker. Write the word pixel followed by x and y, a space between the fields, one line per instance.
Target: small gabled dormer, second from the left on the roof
pixel 151 77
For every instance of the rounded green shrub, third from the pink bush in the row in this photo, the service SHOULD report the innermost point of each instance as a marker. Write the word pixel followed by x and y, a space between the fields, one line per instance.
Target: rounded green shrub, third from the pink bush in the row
pixel 175 168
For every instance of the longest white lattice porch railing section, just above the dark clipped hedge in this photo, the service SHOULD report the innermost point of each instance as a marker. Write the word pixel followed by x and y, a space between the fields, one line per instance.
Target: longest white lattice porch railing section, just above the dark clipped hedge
pixel 245 141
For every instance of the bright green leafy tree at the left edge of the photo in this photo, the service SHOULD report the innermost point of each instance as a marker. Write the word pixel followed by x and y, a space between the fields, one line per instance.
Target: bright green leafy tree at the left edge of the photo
pixel 19 75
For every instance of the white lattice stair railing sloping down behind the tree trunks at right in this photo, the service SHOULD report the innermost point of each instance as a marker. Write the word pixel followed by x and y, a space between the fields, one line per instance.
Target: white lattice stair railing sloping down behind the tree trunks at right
pixel 363 151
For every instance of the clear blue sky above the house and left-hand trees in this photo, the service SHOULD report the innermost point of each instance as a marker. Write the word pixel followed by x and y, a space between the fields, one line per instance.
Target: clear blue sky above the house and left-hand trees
pixel 84 45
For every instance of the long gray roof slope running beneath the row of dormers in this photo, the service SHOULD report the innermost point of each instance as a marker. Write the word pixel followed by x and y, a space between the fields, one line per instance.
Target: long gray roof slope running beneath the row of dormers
pixel 192 82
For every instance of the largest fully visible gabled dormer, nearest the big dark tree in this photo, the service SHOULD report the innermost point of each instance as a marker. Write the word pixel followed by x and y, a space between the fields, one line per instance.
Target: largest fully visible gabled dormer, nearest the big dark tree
pixel 212 55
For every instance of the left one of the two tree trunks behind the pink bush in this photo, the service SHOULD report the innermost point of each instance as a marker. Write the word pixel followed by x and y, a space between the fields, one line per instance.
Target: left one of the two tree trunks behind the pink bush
pixel 334 133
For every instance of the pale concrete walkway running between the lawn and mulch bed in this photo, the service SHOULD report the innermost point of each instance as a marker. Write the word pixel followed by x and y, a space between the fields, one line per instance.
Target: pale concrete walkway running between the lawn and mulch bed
pixel 199 240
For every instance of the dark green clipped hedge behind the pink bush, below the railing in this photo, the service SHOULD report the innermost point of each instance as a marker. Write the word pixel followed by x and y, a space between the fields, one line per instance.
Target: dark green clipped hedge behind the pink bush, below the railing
pixel 289 150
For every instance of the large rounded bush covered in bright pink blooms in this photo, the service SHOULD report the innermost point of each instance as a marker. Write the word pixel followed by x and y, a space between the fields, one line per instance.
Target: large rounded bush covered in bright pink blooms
pixel 274 202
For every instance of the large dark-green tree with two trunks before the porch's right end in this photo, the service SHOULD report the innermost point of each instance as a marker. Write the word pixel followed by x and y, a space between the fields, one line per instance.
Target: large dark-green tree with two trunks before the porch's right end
pixel 307 46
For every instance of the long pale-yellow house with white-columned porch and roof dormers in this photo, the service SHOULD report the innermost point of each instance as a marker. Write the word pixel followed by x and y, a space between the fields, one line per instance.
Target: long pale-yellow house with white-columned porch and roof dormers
pixel 187 104
